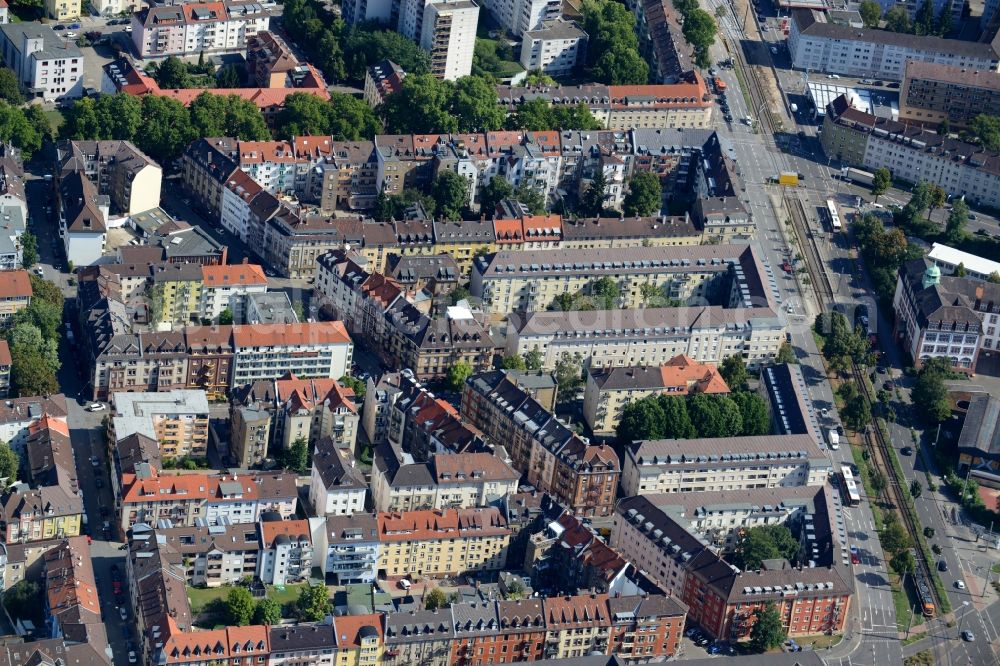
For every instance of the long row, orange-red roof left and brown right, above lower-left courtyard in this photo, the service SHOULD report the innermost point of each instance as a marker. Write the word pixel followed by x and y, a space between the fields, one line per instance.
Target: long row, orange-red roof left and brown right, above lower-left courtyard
pixel 183 499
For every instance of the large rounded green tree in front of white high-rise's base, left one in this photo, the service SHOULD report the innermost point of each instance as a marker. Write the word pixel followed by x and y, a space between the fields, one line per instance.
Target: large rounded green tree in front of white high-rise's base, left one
pixel 421 106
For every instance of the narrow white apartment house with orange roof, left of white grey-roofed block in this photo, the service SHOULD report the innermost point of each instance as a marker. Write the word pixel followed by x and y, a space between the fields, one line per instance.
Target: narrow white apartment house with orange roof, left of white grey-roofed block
pixel 286 554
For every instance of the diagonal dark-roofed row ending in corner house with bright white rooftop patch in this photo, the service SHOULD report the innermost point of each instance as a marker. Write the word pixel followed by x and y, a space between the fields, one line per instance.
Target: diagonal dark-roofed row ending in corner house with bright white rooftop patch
pixel 377 309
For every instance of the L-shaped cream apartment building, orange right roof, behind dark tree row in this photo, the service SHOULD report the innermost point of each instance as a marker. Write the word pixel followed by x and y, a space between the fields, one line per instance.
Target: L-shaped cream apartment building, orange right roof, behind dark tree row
pixel 609 390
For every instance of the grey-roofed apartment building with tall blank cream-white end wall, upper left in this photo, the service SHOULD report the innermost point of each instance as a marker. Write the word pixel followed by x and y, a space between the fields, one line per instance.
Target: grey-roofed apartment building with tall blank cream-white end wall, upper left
pixel 120 171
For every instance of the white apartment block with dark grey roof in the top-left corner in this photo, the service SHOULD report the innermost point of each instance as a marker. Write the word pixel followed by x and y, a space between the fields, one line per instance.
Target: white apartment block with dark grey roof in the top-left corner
pixel 47 67
